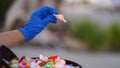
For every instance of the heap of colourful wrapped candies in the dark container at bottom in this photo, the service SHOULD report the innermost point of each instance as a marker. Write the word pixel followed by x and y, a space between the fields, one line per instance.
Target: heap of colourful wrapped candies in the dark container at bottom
pixel 40 62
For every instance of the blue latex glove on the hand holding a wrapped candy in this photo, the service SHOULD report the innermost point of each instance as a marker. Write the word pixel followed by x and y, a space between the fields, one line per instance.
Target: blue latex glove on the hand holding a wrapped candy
pixel 38 20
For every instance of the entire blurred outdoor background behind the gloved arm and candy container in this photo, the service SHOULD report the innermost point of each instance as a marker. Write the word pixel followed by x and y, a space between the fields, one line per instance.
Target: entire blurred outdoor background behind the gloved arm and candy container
pixel 91 37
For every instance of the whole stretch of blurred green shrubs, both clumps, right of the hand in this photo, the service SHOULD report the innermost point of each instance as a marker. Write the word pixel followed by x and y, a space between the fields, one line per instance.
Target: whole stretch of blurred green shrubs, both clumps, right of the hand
pixel 96 37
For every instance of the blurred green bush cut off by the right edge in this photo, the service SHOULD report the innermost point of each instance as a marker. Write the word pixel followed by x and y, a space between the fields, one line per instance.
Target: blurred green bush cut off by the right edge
pixel 114 36
